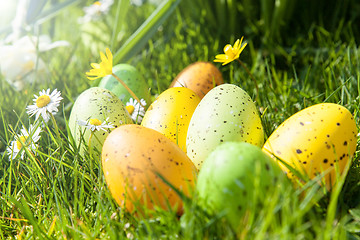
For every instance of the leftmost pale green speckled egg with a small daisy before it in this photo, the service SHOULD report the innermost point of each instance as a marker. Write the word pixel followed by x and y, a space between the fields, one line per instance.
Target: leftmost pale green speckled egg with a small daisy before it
pixel 95 106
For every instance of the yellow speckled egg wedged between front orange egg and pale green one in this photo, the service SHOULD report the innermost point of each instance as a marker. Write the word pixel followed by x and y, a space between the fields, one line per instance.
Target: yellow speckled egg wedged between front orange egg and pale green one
pixel 171 112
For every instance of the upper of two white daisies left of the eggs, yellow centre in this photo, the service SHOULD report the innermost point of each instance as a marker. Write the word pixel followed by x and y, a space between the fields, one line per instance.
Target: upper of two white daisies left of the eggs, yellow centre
pixel 45 104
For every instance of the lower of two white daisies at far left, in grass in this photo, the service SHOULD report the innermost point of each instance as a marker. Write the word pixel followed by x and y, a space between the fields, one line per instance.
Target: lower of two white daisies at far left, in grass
pixel 23 140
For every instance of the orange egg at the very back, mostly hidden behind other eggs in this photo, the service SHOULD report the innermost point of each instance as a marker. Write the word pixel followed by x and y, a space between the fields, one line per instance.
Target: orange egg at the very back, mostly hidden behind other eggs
pixel 200 77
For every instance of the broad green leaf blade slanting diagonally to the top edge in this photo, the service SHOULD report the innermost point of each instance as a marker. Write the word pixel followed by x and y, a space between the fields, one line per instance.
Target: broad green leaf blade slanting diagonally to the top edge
pixel 141 36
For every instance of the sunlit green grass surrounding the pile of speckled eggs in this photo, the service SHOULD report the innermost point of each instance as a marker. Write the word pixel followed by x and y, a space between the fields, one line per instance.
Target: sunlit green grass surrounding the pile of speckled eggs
pixel 61 195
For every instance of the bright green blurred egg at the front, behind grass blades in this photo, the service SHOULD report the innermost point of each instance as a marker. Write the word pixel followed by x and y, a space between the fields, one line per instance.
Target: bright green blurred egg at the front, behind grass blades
pixel 237 177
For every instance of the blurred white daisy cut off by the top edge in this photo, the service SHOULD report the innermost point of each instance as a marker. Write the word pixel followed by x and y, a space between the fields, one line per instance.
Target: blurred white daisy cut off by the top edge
pixel 96 10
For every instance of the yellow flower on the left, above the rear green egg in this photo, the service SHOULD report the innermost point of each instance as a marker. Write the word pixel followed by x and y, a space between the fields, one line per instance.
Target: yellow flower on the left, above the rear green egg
pixel 101 69
